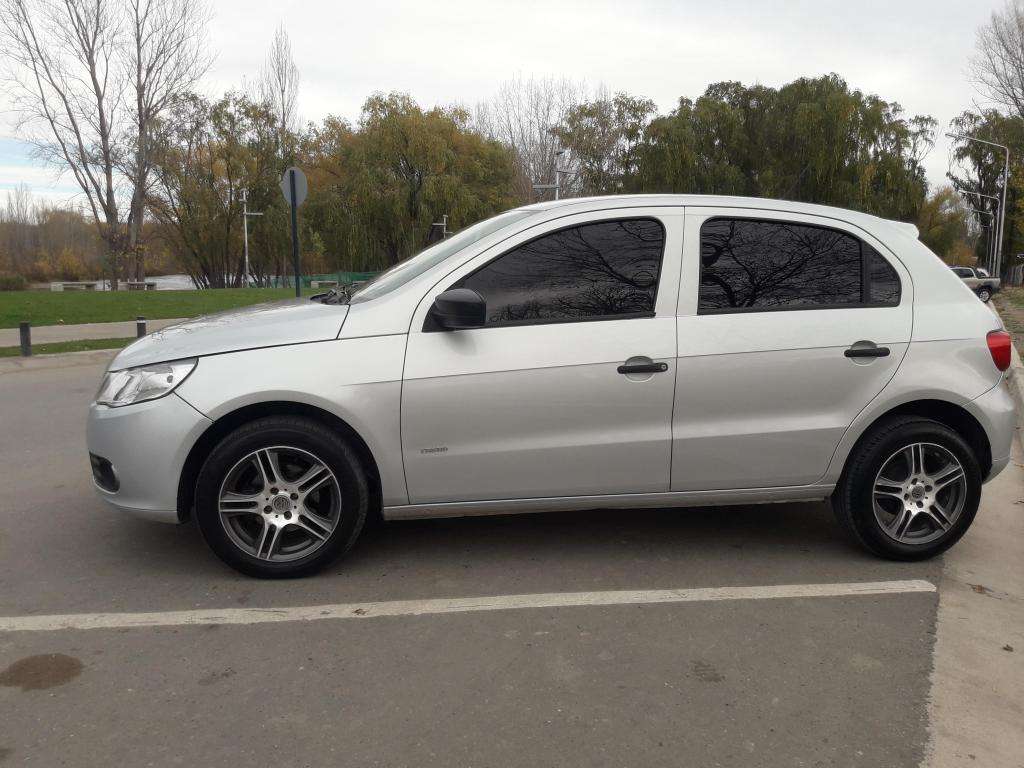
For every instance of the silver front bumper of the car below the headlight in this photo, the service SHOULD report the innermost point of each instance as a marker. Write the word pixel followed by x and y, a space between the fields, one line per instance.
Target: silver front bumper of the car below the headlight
pixel 146 447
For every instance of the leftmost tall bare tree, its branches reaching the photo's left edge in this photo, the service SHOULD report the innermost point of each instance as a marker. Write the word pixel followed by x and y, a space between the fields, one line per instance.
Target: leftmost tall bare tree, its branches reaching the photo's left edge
pixel 66 84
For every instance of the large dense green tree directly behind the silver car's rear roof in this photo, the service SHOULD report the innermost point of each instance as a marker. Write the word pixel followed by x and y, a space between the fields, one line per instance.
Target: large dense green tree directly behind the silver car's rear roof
pixel 813 140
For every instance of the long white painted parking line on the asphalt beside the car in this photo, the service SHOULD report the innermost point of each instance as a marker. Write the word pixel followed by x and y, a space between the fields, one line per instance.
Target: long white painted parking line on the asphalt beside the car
pixel 452 606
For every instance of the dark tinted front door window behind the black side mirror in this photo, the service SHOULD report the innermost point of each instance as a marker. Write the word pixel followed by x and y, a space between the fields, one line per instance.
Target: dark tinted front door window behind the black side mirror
pixel 605 270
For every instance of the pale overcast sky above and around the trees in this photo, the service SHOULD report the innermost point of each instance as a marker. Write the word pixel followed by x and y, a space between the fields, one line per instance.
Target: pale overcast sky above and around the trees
pixel 912 52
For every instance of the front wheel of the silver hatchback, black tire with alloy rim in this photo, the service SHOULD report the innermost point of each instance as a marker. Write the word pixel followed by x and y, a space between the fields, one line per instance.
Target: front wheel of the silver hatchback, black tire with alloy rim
pixel 291 478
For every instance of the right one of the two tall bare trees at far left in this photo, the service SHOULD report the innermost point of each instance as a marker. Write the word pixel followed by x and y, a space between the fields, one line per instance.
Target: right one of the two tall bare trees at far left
pixel 165 59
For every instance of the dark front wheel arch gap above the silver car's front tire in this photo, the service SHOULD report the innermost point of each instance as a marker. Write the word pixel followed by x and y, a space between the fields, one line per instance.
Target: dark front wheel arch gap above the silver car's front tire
pixel 231 421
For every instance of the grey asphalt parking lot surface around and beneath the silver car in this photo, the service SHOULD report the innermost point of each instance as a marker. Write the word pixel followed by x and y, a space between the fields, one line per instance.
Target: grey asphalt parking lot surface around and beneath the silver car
pixel 776 681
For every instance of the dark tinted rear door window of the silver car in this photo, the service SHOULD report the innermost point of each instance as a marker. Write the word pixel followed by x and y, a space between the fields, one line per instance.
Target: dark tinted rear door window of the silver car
pixel 755 266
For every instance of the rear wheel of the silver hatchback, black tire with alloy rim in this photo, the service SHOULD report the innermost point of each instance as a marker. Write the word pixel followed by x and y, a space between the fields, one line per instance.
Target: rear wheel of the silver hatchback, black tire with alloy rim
pixel 871 514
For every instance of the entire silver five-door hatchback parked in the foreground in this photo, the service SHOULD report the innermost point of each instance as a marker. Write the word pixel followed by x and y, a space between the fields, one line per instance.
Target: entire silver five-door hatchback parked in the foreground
pixel 606 353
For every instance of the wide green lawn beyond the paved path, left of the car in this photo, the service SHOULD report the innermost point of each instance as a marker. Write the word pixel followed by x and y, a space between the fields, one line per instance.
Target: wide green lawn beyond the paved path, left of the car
pixel 69 308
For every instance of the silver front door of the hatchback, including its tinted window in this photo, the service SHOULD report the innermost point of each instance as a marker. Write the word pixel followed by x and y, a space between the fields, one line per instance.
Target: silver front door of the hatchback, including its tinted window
pixel 537 403
